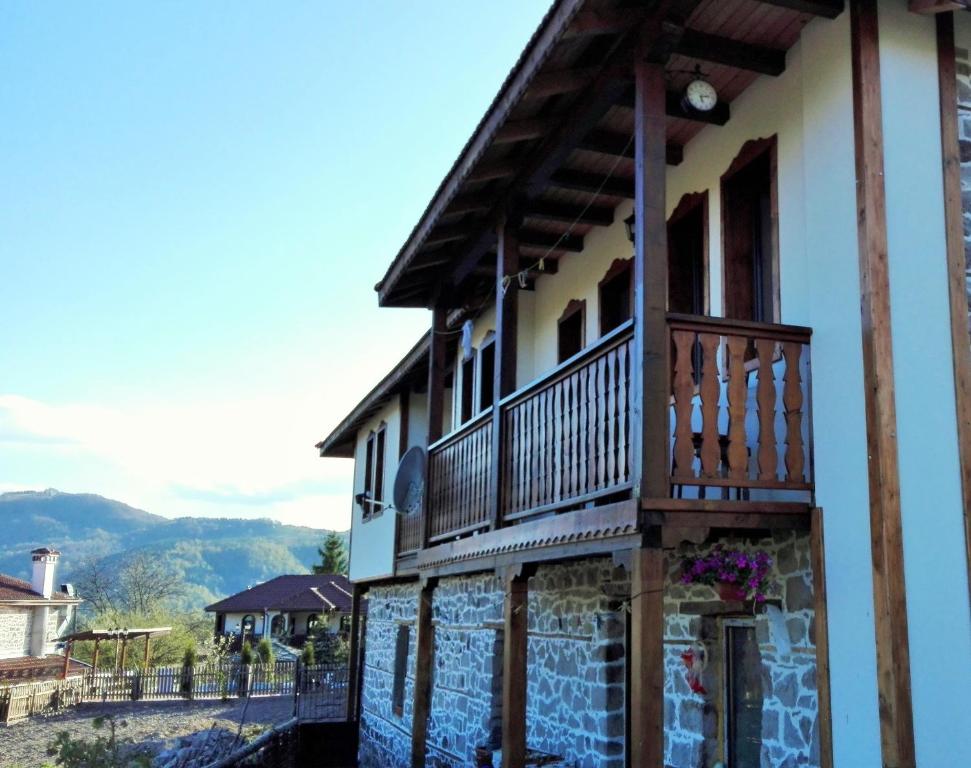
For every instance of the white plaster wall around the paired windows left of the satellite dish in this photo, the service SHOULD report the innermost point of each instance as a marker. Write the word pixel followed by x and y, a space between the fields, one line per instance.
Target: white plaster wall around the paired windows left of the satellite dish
pixel 372 542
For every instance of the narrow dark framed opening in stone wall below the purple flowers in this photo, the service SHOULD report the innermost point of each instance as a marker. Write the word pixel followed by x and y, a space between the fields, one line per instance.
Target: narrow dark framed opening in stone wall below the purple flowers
pixel 743 694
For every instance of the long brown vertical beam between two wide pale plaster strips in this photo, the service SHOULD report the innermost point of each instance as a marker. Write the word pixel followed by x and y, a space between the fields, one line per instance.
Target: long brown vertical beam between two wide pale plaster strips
pixel 889 591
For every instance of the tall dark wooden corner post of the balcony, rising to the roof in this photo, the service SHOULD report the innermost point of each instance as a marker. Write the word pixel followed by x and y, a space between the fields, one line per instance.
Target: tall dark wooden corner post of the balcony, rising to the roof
pixel 652 380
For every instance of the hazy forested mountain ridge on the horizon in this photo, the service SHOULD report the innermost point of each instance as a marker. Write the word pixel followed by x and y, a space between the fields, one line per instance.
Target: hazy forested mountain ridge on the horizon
pixel 215 556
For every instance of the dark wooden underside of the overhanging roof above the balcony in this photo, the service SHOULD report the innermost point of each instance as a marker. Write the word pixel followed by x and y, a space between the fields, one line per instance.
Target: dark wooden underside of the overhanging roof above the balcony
pixel 752 36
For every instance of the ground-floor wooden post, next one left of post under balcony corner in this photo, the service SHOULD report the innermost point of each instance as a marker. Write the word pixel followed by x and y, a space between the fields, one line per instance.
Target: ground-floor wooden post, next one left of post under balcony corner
pixel 514 649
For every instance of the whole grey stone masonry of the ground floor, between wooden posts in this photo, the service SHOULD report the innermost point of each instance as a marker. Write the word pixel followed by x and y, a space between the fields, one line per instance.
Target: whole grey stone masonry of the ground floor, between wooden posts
pixel 577 665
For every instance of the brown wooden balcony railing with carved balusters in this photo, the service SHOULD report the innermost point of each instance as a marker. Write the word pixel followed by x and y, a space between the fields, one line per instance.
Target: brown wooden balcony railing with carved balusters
pixel 740 430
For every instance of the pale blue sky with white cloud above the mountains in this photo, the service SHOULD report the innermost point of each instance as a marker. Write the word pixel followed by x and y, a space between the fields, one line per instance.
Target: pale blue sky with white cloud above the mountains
pixel 196 201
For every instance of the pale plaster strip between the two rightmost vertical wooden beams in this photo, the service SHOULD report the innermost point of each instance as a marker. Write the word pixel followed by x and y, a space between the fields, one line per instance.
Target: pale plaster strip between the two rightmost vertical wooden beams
pixel 930 492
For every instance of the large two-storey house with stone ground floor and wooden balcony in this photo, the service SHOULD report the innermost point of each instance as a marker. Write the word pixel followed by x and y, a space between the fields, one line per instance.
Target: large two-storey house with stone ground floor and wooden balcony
pixel 699 314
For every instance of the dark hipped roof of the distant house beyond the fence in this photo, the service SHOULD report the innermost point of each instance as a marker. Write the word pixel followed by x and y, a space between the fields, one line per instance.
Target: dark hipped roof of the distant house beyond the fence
pixel 323 593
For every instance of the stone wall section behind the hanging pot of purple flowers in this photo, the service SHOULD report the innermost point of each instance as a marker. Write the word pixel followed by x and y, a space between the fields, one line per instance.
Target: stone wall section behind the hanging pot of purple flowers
pixel 784 626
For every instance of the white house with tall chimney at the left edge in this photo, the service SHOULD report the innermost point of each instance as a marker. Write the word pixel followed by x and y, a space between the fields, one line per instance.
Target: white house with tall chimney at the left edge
pixel 33 617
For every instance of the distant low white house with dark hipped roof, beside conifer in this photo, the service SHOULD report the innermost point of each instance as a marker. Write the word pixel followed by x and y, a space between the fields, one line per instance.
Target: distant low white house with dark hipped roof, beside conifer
pixel 288 606
